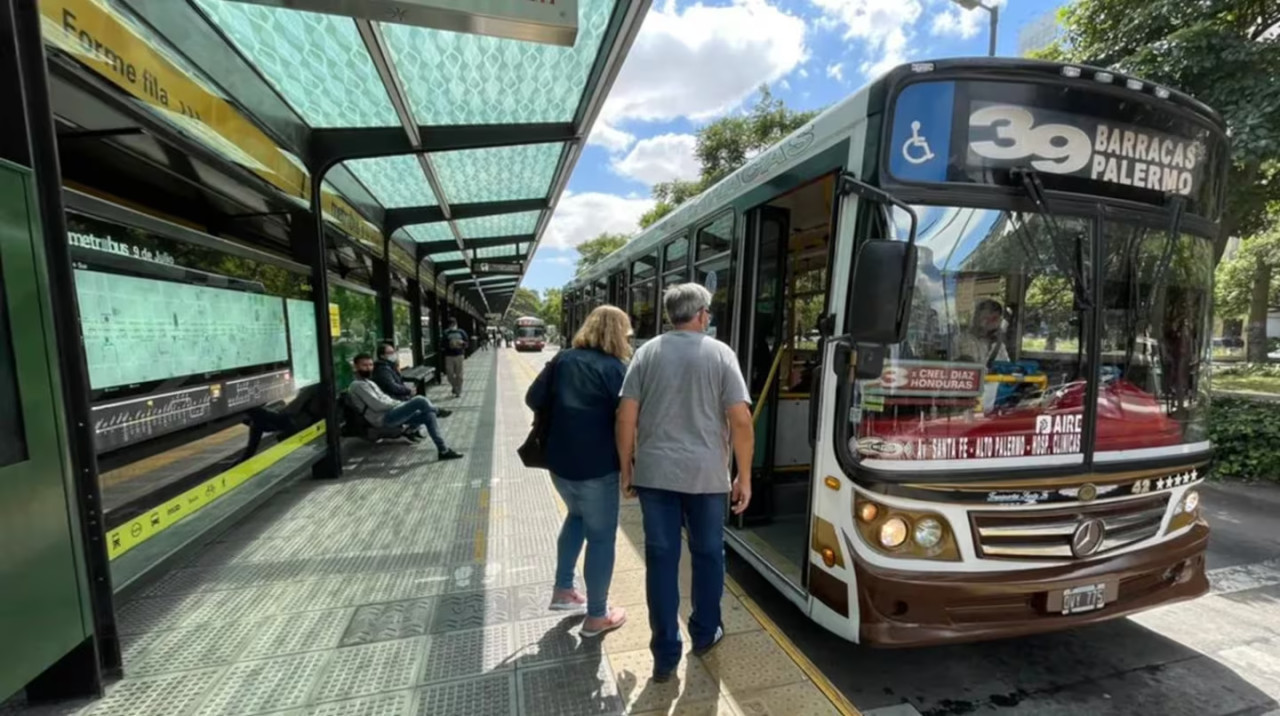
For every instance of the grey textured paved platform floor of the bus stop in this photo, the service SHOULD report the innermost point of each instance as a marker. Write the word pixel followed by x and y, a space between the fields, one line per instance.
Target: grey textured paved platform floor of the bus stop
pixel 420 587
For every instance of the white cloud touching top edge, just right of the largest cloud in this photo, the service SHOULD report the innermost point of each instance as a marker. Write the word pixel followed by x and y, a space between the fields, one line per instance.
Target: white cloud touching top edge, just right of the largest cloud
pixel 883 26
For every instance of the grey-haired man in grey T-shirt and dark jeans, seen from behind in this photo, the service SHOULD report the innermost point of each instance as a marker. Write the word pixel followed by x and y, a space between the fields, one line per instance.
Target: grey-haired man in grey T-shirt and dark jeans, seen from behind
pixel 684 404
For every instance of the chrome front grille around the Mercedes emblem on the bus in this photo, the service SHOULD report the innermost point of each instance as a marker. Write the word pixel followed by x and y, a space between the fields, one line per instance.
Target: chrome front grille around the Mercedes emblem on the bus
pixel 1046 535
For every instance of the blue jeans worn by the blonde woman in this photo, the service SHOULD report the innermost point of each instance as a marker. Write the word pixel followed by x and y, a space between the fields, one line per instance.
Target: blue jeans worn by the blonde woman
pixel 593 517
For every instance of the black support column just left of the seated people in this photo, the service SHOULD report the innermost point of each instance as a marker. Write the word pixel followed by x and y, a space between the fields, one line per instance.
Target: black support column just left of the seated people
pixel 307 235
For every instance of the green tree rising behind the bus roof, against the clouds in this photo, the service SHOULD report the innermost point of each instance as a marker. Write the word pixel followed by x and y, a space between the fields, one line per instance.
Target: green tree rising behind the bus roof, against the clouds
pixel 725 145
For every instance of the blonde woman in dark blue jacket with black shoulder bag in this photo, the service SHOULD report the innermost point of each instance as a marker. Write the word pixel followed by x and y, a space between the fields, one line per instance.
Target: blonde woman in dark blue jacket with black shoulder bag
pixel 584 459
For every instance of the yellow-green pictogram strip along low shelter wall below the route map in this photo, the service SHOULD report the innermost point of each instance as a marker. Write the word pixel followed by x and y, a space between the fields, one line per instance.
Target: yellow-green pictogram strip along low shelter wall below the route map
pixel 162 518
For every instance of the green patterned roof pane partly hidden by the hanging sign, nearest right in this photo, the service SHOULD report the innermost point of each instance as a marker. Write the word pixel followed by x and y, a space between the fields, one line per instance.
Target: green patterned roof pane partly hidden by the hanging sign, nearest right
pixel 456 79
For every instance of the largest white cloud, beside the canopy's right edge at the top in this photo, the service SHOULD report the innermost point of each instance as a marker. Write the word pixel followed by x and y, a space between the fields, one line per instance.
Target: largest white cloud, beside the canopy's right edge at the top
pixel 703 62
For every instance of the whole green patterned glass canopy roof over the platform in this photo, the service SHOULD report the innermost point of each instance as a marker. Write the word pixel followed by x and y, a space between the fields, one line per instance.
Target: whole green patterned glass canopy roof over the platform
pixel 497 120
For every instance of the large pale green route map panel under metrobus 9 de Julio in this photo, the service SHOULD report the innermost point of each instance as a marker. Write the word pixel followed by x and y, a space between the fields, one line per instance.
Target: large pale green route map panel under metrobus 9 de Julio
pixel 139 330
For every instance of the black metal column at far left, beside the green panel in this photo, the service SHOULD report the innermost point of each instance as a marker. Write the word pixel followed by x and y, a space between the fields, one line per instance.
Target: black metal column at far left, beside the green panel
pixel 30 139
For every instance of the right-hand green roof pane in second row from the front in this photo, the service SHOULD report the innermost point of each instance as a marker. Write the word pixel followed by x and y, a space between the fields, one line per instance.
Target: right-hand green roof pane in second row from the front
pixel 499 174
